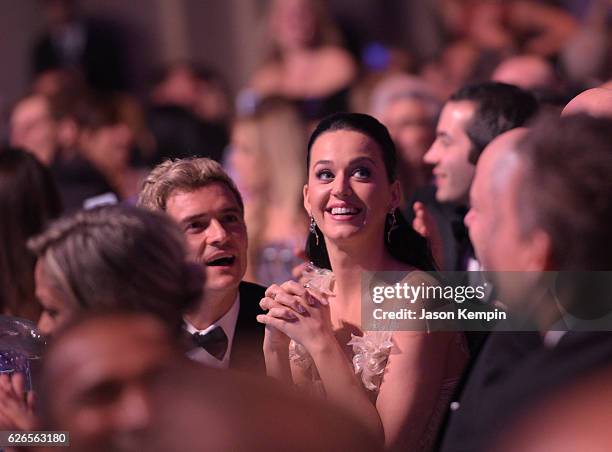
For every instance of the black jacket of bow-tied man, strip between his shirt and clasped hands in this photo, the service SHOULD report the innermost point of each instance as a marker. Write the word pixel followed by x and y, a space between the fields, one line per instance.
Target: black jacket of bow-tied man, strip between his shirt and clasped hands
pixel 247 348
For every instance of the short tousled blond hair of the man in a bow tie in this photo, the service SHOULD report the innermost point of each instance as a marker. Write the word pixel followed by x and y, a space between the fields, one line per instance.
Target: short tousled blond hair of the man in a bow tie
pixel 185 175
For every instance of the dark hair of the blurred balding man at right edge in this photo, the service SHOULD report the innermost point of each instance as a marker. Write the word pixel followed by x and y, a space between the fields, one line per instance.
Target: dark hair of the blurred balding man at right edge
pixel 565 189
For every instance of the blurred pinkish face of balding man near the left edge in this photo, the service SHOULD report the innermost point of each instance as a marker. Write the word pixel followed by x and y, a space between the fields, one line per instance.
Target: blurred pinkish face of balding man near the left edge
pixel 33 128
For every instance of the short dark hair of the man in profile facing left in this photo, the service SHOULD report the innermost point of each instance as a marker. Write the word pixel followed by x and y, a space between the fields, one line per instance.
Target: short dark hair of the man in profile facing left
pixel 499 108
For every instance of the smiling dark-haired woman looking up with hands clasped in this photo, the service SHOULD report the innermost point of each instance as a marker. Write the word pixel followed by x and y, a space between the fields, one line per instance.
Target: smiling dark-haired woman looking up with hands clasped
pixel 352 196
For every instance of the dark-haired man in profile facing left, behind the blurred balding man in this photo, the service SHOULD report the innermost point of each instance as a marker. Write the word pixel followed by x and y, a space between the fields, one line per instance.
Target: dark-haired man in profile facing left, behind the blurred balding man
pixel 469 121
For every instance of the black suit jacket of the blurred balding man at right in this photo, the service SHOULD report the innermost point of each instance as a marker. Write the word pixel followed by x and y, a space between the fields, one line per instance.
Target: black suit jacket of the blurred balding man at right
pixel 514 373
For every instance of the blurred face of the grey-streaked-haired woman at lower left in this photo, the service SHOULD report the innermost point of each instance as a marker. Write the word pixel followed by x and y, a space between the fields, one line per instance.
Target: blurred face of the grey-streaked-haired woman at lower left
pixel 56 310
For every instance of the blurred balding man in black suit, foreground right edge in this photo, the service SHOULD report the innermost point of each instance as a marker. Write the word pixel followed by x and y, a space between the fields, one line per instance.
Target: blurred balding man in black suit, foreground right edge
pixel 539 202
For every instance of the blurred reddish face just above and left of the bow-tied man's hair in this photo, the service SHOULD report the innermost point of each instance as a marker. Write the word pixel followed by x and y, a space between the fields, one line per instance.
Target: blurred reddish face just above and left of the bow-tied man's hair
pixel 108 147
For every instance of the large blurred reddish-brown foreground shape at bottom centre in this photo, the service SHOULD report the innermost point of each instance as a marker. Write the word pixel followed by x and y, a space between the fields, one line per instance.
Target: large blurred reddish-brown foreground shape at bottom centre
pixel 242 414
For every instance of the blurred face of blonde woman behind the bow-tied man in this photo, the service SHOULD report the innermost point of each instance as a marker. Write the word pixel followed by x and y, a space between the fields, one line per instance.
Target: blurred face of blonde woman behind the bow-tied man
pixel 245 157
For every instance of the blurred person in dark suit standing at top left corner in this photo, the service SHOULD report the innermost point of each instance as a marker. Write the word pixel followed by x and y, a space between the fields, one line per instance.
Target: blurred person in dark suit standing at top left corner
pixel 84 46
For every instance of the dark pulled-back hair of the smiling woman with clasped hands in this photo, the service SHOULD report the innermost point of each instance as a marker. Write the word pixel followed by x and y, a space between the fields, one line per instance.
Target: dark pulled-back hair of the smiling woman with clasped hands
pixel 405 244
